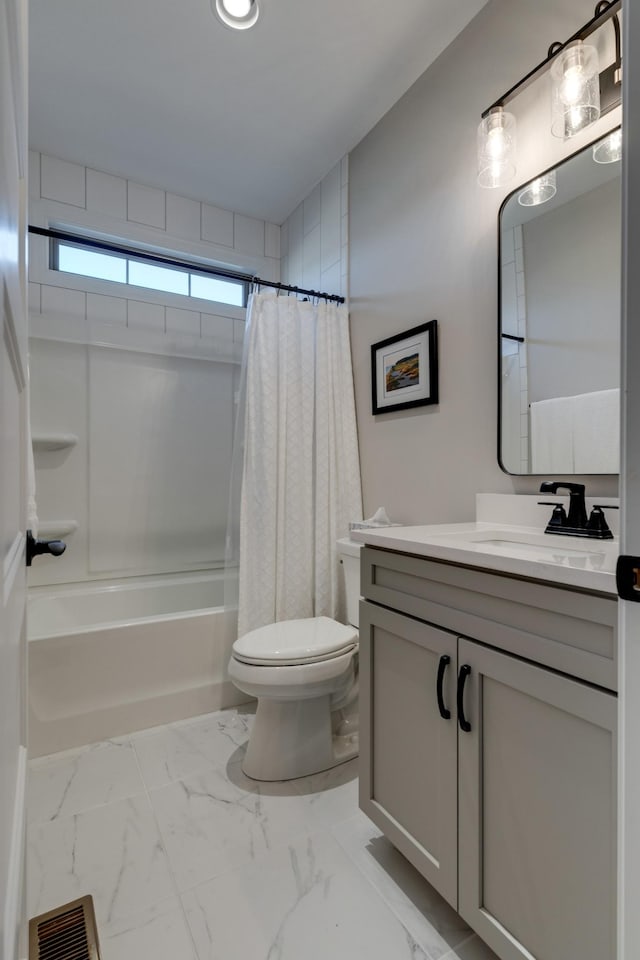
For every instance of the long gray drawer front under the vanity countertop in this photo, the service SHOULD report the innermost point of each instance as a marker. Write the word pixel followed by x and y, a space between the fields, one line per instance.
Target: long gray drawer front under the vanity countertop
pixel 564 629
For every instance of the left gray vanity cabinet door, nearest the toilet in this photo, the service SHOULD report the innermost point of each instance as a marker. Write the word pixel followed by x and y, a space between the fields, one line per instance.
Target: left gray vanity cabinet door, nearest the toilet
pixel 408 781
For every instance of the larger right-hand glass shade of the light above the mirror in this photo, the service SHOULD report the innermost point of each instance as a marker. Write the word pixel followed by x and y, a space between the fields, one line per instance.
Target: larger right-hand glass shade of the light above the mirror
pixel 575 93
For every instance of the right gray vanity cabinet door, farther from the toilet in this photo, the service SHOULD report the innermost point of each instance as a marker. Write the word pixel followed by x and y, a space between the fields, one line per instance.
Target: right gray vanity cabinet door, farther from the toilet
pixel 537 796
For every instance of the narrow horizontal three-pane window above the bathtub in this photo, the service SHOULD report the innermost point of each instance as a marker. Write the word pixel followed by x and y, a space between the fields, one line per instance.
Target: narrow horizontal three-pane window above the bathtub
pixel 106 262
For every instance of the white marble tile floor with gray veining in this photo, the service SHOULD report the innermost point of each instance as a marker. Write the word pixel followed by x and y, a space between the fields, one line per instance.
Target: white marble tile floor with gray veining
pixel 188 859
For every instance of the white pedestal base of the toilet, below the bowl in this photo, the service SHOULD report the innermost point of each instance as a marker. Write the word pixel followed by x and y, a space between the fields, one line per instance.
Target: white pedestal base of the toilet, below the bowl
pixel 293 738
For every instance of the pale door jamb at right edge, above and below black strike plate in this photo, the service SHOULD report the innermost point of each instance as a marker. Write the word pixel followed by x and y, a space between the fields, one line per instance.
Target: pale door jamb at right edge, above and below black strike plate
pixel 629 612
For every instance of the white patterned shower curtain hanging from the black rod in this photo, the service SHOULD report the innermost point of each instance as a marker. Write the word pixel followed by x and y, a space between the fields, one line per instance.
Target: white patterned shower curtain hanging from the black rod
pixel 300 470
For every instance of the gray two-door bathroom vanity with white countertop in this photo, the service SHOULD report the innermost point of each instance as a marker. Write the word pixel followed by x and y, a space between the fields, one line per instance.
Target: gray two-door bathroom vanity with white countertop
pixel 488 727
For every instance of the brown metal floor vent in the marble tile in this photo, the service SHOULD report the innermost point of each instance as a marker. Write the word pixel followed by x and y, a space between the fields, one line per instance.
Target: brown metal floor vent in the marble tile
pixel 66 933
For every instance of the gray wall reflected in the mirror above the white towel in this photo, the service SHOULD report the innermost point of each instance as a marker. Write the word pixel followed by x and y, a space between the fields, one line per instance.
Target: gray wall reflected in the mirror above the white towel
pixel 572 276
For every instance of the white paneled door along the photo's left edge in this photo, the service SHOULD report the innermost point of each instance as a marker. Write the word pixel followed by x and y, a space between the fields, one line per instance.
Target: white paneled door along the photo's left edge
pixel 13 413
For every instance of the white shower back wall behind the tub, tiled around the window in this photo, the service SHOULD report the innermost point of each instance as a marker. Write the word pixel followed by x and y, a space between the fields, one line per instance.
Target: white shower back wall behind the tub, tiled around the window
pixel 170 349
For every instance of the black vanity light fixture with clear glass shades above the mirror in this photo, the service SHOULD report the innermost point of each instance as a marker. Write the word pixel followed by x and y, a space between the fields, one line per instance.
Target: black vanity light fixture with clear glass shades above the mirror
pixel 581 93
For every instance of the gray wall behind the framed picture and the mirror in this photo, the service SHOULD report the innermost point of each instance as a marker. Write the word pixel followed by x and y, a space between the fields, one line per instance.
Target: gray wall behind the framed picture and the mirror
pixel 423 244
